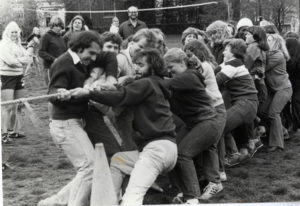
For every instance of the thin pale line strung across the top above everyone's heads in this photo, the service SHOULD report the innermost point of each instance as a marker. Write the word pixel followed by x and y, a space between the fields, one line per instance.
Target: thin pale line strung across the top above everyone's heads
pixel 123 11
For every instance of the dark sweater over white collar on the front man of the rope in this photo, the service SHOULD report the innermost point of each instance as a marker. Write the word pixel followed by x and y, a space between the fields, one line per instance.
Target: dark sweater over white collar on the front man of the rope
pixel 64 74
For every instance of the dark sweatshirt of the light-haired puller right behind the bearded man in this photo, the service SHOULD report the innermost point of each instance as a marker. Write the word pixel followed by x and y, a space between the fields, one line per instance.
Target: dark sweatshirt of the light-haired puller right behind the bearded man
pixel 190 100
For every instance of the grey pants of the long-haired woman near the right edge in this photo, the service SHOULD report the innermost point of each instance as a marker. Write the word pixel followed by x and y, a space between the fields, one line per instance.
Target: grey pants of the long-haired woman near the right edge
pixel 271 109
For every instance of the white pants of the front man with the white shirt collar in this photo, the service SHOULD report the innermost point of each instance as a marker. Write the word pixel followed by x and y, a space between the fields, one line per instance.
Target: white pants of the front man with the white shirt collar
pixel 71 137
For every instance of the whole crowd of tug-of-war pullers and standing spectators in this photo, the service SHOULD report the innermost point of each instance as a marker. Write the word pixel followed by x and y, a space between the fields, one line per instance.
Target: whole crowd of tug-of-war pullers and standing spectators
pixel 187 112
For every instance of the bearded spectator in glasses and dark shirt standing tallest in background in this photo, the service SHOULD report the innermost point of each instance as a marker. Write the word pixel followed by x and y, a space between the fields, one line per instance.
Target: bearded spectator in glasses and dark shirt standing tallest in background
pixel 132 25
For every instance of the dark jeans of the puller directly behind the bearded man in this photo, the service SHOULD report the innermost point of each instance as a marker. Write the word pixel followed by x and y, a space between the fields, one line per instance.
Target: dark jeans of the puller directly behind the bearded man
pixel 195 140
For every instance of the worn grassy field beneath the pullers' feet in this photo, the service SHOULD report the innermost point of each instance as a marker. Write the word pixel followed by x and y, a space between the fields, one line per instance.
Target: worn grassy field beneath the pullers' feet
pixel 40 169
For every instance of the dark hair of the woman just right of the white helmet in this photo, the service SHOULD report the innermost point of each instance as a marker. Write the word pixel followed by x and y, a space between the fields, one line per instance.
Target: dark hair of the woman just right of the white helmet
pixel 260 36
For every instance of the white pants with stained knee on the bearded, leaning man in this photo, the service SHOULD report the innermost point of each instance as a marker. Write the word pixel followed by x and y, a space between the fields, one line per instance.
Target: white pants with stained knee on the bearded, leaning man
pixel 157 157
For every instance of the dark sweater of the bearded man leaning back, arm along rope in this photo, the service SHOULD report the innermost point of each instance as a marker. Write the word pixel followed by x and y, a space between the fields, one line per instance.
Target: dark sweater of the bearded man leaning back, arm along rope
pixel 147 99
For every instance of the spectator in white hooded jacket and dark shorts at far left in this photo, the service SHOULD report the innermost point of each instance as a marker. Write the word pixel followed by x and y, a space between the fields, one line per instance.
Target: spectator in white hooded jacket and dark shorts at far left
pixel 13 59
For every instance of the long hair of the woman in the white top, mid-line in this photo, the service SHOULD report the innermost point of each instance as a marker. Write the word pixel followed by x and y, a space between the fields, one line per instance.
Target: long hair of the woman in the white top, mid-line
pixel 201 51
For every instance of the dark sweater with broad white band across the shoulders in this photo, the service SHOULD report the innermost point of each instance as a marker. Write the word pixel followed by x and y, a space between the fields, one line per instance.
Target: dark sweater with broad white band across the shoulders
pixel 237 80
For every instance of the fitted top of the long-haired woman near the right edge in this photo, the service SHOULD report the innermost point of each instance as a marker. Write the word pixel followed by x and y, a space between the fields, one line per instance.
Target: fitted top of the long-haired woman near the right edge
pixel 276 74
